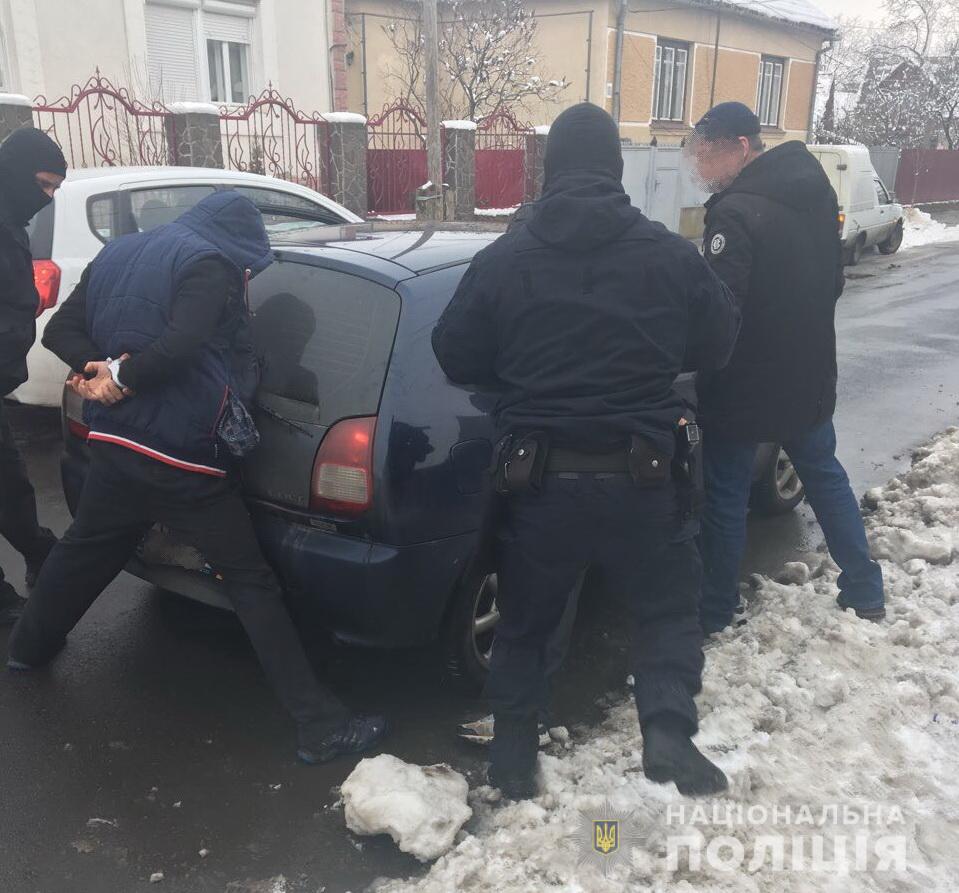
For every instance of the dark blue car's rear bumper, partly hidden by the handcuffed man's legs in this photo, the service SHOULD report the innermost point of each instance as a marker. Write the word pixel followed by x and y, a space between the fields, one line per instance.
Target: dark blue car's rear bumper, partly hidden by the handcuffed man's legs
pixel 366 593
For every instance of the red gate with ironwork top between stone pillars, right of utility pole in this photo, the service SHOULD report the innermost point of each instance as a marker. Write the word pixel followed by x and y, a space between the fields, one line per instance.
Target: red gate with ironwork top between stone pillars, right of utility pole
pixel 501 143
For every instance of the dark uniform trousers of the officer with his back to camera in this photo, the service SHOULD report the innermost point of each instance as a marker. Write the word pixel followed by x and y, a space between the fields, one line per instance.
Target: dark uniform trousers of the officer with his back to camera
pixel 544 543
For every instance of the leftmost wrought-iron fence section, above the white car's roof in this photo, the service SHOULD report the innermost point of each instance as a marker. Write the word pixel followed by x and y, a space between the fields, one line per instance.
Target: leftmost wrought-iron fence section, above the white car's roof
pixel 99 125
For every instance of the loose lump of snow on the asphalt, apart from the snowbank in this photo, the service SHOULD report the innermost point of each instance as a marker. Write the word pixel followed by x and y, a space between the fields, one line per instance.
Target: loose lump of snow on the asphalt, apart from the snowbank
pixel 421 808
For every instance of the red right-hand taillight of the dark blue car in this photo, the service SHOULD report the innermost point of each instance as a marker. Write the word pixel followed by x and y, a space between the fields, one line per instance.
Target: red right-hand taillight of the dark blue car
pixel 343 469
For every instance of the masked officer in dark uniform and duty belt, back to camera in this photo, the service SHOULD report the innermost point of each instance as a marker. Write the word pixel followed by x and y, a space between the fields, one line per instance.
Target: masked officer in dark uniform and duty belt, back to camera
pixel 582 316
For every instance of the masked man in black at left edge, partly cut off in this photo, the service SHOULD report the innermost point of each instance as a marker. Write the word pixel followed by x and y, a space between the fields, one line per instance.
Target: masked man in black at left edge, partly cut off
pixel 32 167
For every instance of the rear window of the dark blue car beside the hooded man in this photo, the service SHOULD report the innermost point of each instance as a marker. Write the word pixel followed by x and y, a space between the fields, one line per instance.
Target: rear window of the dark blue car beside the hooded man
pixel 324 339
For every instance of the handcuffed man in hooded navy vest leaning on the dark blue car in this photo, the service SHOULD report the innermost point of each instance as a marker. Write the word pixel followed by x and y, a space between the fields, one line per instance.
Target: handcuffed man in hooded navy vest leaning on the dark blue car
pixel 169 304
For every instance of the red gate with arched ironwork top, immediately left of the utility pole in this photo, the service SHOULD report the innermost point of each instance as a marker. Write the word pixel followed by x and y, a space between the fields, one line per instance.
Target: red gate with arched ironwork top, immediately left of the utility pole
pixel 395 159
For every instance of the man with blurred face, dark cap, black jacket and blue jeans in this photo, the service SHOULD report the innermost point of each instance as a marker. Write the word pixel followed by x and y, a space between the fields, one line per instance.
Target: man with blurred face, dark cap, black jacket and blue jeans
pixel 772 237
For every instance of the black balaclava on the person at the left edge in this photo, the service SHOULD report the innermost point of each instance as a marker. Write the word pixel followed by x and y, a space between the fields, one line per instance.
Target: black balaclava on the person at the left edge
pixel 24 154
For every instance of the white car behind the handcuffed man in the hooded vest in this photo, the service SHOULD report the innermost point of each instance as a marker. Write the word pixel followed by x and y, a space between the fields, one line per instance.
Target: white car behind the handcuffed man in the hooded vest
pixel 96 205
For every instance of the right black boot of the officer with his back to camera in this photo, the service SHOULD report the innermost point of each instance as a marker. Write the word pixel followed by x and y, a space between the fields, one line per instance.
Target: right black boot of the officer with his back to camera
pixel 670 755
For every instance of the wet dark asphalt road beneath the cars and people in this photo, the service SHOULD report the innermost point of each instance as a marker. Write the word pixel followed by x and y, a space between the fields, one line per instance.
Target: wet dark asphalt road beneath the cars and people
pixel 154 737
